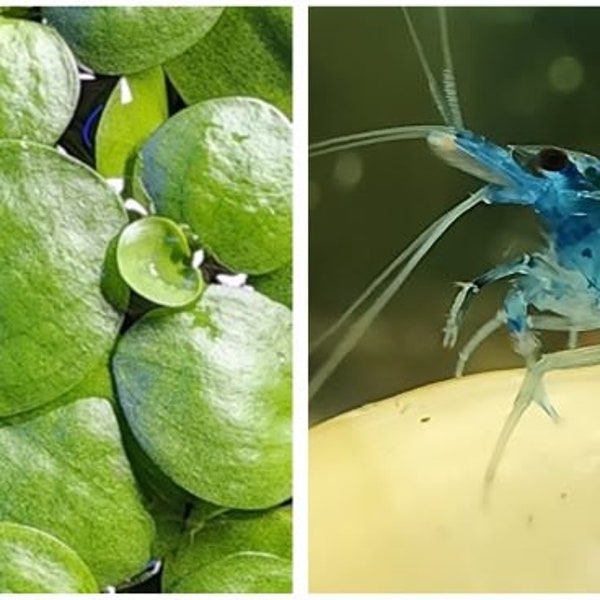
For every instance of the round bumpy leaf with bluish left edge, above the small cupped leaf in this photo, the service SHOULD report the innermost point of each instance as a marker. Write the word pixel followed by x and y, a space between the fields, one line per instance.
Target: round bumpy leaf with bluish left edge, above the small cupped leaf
pixel 224 167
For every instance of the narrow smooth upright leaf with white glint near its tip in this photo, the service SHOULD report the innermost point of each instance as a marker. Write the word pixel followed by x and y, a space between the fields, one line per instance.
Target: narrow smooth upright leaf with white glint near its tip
pixel 135 108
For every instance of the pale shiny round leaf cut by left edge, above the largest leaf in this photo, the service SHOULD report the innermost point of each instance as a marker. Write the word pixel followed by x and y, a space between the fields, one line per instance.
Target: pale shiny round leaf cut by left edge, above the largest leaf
pixel 39 84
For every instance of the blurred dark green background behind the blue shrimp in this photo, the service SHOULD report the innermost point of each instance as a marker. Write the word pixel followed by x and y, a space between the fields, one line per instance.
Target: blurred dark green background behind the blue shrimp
pixel 525 76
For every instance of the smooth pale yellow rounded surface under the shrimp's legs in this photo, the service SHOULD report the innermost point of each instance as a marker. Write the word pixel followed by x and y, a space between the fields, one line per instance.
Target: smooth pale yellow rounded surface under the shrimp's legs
pixel 396 504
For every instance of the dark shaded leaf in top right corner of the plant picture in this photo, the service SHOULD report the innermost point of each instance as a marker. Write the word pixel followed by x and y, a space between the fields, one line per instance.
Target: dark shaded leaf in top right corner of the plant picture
pixel 248 52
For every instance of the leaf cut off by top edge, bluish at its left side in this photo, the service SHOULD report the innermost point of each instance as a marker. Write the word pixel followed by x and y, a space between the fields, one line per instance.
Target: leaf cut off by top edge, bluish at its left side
pixel 129 39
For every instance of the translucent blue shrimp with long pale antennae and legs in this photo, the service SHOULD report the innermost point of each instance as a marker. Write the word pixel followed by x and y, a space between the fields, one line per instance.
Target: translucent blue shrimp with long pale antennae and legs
pixel 560 280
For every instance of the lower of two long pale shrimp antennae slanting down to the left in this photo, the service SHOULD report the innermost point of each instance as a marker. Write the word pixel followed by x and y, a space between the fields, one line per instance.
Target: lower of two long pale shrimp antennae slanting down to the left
pixel 362 323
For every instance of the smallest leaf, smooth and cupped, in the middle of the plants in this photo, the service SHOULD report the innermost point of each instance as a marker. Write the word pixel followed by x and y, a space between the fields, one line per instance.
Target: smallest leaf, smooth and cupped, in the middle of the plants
pixel 154 259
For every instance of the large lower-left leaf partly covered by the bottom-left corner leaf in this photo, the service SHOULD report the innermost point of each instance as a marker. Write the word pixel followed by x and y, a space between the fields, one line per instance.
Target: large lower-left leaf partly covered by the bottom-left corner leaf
pixel 64 472
